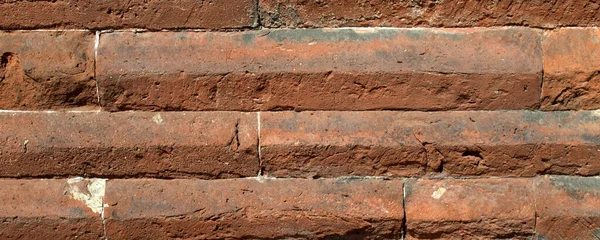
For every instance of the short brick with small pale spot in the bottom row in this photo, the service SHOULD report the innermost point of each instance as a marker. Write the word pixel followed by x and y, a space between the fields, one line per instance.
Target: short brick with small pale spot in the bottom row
pixel 470 209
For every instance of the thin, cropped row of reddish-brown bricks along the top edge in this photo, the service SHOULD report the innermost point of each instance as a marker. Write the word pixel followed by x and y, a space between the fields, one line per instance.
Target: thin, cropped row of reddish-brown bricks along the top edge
pixel 220 14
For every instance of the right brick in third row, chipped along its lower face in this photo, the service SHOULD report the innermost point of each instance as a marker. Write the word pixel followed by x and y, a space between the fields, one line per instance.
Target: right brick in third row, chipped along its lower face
pixel 498 143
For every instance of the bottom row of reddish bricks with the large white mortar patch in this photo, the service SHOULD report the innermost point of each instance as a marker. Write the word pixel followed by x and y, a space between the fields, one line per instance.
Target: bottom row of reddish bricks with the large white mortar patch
pixel 549 207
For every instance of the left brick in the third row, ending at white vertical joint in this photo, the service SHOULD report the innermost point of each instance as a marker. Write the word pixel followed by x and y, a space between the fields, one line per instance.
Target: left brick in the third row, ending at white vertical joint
pixel 131 144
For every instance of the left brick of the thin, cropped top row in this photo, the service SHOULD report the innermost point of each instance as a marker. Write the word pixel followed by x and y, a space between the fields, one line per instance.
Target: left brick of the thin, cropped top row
pixel 111 14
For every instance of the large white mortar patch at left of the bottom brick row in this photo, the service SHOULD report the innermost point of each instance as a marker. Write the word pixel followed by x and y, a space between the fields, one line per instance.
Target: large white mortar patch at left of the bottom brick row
pixel 88 191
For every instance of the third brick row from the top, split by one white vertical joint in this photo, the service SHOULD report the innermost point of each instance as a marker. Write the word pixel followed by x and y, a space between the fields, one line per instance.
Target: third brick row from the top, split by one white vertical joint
pixel 298 144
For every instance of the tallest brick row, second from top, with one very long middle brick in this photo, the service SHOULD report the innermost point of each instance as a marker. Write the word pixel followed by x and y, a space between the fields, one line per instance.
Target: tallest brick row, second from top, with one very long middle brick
pixel 302 69
